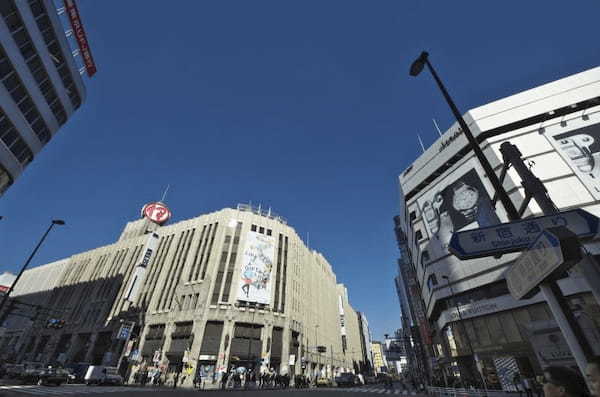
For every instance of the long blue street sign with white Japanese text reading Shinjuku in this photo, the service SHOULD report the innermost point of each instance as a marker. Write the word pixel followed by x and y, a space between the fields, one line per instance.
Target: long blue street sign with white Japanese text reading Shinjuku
pixel 518 235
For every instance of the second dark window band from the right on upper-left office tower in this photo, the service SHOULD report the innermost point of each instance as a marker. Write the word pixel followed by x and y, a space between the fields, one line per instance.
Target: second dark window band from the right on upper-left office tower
pixel 25 43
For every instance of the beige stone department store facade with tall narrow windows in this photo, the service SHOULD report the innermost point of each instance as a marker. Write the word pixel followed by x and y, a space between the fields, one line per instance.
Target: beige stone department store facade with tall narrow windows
pixel 188 313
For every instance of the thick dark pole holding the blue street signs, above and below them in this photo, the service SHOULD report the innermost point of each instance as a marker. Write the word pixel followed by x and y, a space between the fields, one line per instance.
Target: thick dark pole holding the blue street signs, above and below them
pixel 563 315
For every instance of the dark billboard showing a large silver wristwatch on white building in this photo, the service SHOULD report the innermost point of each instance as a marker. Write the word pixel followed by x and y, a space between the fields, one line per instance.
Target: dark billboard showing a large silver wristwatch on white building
pixel 452 208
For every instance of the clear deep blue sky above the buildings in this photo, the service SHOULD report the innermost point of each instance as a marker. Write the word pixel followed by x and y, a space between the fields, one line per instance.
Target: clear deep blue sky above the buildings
pixel 305 106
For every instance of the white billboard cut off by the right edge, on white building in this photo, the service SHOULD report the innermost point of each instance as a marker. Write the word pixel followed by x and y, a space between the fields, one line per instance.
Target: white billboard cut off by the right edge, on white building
pixel 580 148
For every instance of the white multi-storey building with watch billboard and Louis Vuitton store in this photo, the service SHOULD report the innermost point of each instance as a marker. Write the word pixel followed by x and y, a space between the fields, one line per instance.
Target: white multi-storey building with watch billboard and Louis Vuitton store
pixel 557 129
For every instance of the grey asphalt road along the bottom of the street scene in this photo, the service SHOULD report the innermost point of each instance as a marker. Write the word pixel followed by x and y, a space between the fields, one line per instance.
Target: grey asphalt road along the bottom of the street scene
pixel 132 391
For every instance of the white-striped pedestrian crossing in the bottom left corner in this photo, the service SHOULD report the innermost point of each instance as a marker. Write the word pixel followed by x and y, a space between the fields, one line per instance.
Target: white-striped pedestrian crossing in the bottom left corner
pixel 71 390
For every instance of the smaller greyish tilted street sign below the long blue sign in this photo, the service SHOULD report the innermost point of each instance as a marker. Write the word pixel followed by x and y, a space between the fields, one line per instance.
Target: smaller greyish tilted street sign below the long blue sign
pixel 551 253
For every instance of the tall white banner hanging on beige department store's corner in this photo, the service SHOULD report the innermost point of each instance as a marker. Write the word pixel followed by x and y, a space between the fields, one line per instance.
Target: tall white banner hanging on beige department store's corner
pixel 257 269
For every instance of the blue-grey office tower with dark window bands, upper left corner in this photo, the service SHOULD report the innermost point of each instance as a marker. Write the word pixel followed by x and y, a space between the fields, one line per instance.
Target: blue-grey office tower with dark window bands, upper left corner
pixel 40 84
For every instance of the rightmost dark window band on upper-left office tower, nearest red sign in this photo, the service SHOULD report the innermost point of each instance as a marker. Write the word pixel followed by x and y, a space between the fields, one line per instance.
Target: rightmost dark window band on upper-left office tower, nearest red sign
pixel 45 26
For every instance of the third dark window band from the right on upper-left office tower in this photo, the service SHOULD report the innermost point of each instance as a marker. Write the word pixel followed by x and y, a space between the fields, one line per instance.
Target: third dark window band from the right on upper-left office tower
pixel 17 91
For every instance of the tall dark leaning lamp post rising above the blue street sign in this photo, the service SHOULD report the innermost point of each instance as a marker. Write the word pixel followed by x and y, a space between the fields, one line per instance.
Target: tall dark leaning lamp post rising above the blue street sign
pixel 415 70
